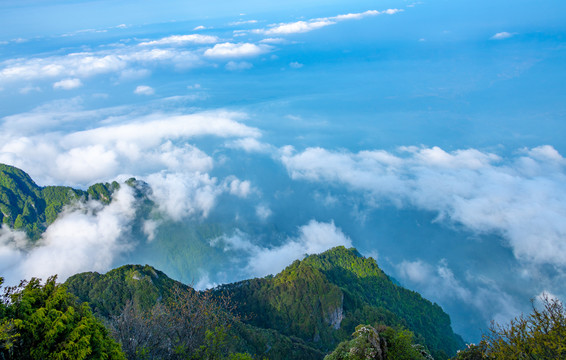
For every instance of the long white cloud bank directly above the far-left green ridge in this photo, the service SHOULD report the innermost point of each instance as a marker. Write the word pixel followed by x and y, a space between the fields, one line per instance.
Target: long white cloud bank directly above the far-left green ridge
pixel 118 141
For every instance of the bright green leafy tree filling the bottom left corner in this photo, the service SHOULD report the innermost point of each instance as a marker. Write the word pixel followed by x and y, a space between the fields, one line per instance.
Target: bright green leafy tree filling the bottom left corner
pixel 46 322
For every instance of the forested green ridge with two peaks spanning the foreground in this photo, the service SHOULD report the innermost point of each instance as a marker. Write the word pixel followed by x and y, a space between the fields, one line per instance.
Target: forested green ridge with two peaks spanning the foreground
pixel 302 312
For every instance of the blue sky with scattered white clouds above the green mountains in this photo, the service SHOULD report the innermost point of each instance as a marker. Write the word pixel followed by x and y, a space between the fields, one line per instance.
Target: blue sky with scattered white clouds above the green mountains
pixel 427 134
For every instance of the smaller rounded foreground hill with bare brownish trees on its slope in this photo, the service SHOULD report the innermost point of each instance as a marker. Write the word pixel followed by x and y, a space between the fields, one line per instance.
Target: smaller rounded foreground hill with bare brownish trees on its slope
pixel 153 316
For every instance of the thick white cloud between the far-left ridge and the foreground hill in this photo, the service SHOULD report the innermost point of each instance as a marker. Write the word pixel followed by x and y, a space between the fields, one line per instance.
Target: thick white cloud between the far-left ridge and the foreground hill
pixel 86 237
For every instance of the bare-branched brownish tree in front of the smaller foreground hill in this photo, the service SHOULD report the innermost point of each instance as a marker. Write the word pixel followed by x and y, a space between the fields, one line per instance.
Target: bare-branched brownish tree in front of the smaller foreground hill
pixel 184 325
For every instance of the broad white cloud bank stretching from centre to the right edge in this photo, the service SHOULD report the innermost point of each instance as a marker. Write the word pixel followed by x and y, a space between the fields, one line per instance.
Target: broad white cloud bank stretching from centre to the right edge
pixel 521 199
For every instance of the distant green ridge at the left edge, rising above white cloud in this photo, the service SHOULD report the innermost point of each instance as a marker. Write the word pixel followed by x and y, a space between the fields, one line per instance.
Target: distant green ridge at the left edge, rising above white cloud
pixel 28 207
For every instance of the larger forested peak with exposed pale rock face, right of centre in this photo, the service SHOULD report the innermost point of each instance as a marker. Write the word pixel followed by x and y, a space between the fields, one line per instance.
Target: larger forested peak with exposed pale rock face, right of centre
pixel 322 299
